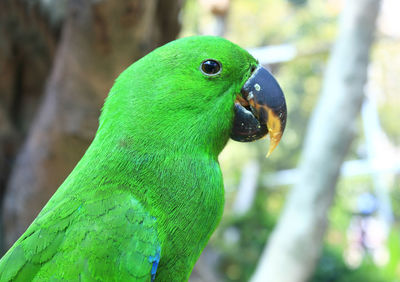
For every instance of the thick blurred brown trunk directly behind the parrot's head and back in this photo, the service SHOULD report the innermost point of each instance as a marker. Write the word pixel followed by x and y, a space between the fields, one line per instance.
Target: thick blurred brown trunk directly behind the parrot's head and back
pixel 99 39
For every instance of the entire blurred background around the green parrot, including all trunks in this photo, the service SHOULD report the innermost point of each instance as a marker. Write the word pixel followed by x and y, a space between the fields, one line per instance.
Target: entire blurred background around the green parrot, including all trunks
pixel 325 206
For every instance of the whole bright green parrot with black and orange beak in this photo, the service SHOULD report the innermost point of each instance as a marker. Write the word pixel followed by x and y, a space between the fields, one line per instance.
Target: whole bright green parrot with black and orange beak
pixel 145 198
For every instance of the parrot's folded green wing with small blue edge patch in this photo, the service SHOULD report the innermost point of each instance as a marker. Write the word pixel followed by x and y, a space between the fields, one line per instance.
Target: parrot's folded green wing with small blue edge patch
pixel 103 236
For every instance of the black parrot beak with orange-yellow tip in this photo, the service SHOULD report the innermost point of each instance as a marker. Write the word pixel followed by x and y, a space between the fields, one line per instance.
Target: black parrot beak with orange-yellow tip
pixel 260 109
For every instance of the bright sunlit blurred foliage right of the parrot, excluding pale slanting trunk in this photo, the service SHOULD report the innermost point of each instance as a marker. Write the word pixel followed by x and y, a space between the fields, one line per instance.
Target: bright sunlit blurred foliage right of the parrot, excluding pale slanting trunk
pixel 294 39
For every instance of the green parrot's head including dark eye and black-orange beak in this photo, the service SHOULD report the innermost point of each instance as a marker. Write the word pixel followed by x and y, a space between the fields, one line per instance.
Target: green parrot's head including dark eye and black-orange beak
pixel 198 91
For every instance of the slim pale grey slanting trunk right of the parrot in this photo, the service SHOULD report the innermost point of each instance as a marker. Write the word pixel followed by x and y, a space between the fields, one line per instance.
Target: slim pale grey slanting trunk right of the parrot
pixel 295 245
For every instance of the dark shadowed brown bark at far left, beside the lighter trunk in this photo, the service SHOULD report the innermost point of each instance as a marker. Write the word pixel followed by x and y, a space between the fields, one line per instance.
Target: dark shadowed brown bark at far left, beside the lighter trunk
pixel 27 45
